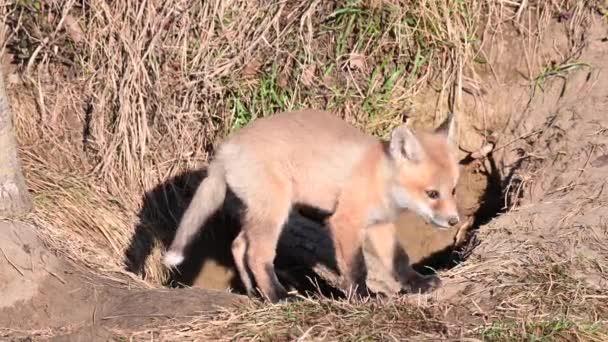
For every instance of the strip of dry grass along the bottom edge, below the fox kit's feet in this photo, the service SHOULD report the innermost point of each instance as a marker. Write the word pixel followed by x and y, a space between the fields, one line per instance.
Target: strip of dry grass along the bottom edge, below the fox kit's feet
pixel 540 308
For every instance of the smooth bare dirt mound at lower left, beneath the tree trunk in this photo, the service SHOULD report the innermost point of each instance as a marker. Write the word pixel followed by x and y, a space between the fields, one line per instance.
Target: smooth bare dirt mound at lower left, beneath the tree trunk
pixel 43 295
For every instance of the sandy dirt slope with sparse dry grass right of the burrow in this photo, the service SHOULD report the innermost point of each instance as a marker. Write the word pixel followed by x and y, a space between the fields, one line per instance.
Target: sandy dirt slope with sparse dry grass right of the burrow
pixel 544 262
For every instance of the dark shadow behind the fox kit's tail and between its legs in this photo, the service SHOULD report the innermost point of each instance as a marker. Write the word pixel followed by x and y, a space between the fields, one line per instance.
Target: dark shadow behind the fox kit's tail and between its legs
pixel 210 253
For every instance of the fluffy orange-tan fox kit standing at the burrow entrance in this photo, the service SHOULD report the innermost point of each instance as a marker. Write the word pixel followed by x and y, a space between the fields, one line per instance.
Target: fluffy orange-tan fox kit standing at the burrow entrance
pixel 314 158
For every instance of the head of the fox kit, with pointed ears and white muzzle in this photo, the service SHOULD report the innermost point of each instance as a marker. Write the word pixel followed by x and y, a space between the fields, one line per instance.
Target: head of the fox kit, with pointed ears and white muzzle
pixel 426 172
